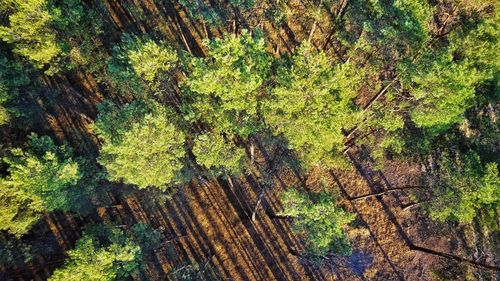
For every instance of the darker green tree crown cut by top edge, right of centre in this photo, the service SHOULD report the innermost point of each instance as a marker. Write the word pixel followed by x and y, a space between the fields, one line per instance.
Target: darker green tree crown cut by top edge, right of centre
pixel 390 30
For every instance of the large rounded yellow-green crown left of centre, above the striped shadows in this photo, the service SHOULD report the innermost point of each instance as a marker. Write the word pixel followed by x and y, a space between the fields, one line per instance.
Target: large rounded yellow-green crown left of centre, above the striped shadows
pixel 142 144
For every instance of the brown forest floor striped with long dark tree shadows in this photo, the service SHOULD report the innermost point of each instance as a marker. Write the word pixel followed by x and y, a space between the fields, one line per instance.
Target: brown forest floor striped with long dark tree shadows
pixel 209 222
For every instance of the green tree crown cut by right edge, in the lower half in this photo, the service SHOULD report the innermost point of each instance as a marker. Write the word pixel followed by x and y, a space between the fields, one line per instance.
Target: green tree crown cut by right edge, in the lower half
pixel 468 188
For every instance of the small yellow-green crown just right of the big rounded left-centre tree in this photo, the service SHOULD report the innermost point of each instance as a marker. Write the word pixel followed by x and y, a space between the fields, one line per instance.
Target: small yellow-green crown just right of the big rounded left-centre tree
pixel 214 152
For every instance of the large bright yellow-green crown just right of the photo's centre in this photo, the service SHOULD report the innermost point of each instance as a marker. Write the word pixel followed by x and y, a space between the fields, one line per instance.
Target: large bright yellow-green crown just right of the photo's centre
pixel 312 103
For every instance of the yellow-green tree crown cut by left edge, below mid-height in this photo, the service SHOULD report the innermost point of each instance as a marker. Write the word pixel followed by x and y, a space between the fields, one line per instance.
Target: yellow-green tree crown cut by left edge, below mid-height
pixel 39 180
